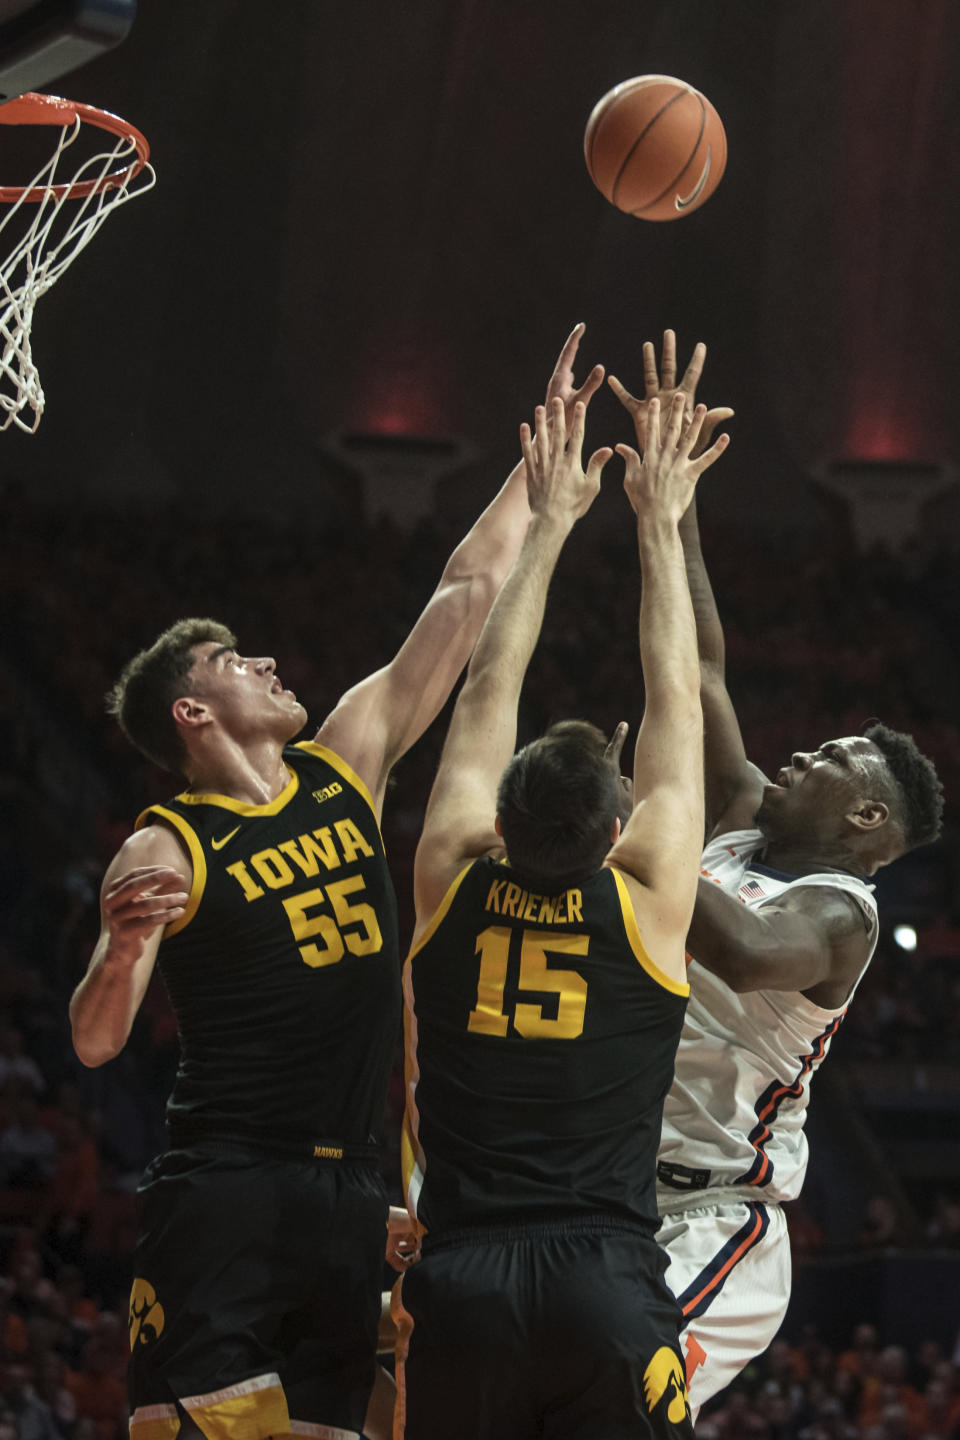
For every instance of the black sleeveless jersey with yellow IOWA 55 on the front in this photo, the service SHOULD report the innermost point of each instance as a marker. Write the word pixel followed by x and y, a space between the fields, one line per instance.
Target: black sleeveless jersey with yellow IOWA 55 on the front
pixel 284 970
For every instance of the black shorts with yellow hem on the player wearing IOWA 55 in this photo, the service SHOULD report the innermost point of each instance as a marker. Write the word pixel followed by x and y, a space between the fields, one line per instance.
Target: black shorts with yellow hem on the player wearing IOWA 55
pixel 257 1294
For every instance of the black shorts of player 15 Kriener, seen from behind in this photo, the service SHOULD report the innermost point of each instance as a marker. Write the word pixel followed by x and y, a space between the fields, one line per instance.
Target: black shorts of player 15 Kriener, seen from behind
pixel 565 1331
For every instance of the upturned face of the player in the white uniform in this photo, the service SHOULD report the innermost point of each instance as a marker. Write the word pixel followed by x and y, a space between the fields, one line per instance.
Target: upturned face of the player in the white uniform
pixel 815 793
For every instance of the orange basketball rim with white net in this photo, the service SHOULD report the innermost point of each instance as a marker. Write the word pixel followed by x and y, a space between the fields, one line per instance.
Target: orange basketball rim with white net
pixel 57 220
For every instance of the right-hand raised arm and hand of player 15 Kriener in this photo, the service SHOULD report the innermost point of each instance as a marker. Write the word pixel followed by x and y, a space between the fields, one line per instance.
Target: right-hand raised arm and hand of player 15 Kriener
pixel 660 847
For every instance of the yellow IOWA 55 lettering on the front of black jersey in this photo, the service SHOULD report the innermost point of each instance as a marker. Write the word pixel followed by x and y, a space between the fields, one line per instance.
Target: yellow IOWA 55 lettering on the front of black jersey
pixel 332 919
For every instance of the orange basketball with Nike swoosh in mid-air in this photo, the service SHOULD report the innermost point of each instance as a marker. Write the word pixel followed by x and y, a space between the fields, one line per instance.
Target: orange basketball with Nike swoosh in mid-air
pixel 656 148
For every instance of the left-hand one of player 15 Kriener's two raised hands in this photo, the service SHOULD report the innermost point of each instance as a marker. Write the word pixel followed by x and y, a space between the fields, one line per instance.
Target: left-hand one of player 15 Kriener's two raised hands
pixel 556 480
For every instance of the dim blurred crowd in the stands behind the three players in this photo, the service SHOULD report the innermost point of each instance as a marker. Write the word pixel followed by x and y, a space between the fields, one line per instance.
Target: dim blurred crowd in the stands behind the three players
pixel 820 640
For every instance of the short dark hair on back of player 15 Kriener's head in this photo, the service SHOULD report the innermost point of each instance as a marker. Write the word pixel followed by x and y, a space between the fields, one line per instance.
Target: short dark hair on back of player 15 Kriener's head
pixel 558 801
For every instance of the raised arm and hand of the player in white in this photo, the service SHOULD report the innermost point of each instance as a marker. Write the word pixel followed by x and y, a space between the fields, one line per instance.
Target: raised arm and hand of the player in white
pixel 732 784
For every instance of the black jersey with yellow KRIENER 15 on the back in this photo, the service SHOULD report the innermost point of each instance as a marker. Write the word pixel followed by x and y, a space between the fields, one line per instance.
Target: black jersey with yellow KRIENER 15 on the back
pixel 540 1048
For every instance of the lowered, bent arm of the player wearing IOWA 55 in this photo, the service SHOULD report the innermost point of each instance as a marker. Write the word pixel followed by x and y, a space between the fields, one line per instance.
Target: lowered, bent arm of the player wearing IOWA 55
pixel 146 888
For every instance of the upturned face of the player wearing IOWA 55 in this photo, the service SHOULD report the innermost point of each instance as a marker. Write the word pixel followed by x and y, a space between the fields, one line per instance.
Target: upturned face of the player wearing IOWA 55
pixel 245 693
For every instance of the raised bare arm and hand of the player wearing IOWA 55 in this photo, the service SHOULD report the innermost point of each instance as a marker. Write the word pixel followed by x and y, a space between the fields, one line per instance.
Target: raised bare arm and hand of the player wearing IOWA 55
pixel 378 721
